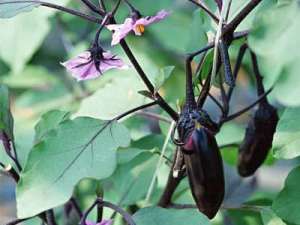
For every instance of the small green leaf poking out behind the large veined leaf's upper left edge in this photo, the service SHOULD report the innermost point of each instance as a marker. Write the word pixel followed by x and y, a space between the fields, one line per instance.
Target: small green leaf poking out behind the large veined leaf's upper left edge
pixel 48 122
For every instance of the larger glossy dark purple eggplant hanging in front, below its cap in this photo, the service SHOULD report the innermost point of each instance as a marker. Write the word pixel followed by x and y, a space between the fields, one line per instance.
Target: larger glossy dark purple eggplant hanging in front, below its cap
pixel 205 171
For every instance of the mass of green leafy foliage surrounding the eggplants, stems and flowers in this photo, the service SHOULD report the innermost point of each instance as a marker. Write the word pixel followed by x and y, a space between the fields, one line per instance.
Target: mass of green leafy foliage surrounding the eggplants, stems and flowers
pixel 66 139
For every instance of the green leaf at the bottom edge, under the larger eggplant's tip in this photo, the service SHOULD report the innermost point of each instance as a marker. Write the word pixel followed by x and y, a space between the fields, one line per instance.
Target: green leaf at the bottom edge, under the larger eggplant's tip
pixel 160 216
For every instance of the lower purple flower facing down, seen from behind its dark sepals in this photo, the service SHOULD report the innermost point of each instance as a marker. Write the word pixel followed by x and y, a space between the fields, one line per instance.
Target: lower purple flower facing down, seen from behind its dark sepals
pixel 88 65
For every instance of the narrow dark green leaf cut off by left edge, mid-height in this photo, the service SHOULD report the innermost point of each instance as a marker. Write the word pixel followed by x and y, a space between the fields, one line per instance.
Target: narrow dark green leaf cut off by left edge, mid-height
pixel 6 119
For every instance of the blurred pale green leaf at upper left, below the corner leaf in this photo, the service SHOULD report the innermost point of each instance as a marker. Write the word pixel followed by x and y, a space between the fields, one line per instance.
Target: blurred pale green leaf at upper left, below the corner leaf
pixel 18 43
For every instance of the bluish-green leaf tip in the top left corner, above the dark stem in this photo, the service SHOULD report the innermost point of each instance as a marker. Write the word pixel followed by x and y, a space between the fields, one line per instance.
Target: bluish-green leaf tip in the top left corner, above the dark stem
pixel 12 8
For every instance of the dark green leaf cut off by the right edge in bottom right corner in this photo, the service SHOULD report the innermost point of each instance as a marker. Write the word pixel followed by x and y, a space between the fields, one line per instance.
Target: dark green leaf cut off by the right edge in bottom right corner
pixel 286 205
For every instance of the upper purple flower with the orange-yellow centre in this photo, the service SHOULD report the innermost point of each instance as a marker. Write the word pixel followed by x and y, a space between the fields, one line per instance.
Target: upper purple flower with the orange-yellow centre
pixel 134 24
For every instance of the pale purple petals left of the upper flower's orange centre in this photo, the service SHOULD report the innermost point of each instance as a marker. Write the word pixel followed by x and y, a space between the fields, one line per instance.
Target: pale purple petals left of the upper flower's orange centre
pixel 120 30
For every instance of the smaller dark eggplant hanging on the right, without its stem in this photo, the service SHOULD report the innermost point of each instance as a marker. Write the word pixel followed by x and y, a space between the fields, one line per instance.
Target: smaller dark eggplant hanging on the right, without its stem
pixel 258 139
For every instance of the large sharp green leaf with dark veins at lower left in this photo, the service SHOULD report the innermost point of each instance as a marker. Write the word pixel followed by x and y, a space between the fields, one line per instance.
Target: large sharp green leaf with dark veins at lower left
pixel 79 148
